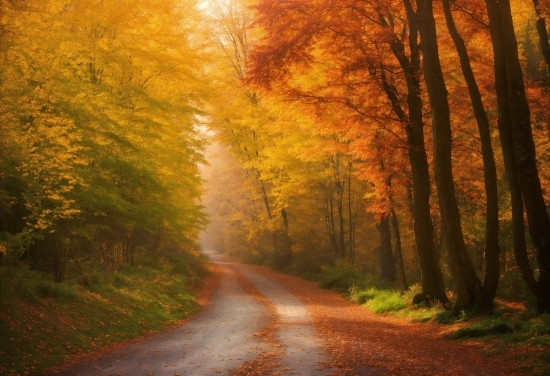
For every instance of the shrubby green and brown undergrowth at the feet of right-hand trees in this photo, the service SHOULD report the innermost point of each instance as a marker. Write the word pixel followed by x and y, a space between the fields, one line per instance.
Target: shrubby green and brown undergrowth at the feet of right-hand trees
pixel 513 326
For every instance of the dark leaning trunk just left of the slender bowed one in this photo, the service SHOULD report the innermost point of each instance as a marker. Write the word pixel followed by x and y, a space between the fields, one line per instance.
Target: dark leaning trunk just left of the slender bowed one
pixel 467 284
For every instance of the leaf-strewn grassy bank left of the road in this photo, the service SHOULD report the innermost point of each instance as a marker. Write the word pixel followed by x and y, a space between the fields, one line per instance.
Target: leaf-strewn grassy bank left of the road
pixel 42 322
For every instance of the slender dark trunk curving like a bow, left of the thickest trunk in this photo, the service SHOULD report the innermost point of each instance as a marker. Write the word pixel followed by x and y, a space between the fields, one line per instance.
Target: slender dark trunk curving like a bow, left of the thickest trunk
pixel 492 247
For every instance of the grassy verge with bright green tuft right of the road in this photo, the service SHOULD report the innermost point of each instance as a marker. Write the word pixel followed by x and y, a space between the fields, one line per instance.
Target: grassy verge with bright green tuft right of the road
pixel 512 327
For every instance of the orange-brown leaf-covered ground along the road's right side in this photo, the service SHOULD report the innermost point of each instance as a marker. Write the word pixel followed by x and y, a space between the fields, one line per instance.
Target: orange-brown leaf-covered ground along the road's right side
pixel 362 343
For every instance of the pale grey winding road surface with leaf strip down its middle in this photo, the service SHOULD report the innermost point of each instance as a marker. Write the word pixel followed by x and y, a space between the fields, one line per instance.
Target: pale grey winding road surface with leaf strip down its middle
pixel 251 323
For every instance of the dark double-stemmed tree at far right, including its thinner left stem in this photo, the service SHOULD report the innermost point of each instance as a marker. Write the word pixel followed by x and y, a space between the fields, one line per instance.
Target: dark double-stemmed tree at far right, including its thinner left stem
pixel 519 150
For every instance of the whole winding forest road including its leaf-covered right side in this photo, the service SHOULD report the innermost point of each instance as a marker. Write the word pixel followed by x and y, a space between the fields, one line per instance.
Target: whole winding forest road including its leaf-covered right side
pixel 259 322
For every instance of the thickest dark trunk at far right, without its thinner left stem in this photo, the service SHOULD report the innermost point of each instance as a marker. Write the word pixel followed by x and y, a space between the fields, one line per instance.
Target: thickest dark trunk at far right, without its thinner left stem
pixel 512 98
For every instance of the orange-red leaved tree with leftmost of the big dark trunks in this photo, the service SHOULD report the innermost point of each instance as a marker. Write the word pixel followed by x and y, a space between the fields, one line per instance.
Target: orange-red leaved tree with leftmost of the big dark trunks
pixel 355 42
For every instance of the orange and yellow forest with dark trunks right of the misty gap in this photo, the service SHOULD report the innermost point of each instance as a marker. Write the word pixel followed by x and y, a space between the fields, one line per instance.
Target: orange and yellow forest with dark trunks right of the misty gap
pixel 408 139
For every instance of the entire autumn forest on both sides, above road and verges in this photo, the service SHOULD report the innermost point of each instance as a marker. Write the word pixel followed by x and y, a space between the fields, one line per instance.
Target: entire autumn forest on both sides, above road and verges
pixel 404 140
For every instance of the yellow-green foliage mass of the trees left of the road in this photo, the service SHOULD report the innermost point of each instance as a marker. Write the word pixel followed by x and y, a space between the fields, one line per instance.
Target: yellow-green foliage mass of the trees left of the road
pixel 100 138
